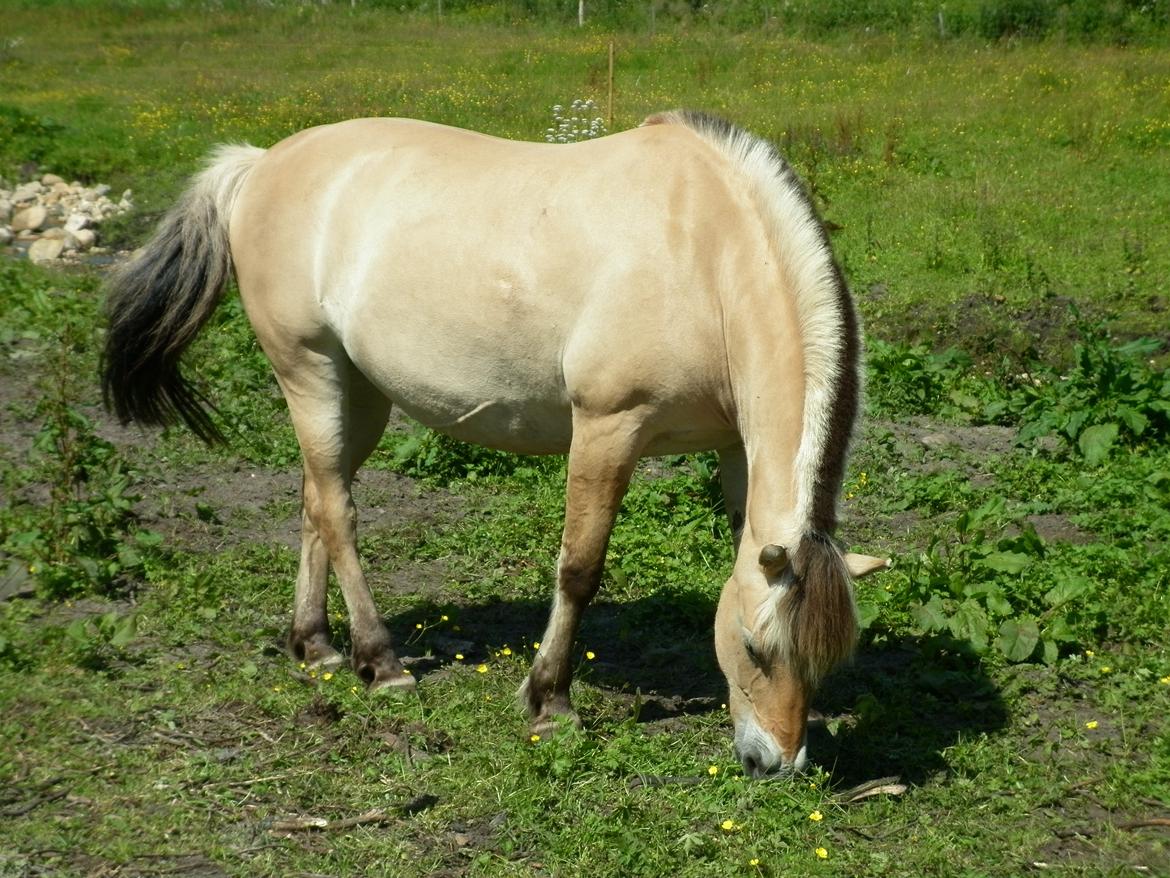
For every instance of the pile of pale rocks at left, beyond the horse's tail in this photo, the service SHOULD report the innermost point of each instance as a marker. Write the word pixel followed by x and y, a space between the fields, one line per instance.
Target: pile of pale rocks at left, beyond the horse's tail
pixel 56 219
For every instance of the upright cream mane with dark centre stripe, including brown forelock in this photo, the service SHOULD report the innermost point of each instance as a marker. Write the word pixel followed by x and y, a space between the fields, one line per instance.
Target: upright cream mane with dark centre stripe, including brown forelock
pixel 813 621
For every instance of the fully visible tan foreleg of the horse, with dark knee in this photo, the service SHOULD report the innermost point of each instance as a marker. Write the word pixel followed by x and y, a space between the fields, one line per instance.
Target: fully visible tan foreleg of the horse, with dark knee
pixel 602 461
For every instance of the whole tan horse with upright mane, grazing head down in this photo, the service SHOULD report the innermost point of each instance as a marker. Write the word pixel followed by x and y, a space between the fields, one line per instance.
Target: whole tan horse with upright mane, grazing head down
pixel 662 291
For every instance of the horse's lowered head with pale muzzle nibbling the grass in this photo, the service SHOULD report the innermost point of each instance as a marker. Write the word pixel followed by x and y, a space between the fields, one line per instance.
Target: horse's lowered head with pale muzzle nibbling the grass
pixel 783 623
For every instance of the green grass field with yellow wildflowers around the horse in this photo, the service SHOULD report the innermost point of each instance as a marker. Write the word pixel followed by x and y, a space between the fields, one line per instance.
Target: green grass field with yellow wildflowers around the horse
pixel 1002 219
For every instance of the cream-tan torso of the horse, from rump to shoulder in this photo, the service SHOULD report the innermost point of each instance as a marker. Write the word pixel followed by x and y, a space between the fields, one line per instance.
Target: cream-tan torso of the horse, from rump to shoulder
pixel 487 286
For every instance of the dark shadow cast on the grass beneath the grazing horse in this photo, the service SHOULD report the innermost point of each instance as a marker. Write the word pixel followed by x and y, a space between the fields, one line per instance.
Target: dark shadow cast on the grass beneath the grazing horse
pixel 893 711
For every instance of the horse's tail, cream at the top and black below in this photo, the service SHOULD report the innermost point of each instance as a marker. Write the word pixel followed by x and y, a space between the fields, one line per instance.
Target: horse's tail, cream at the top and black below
pixel 161 300
